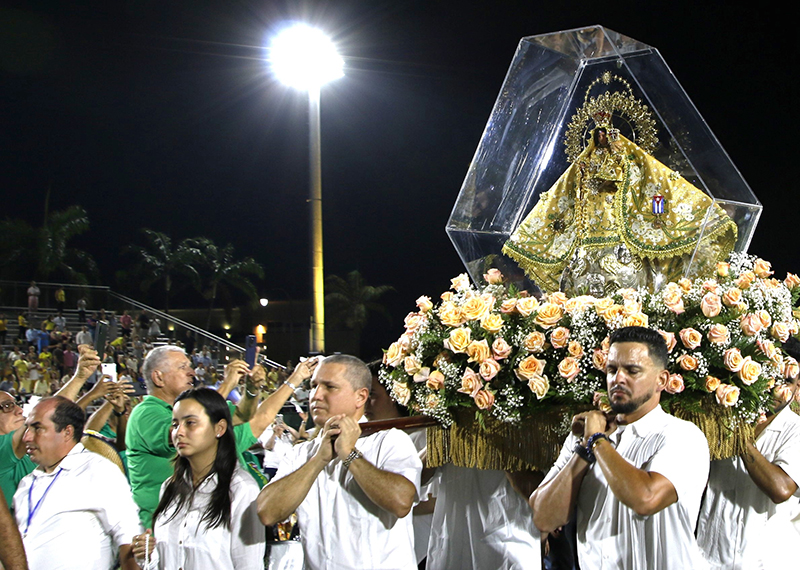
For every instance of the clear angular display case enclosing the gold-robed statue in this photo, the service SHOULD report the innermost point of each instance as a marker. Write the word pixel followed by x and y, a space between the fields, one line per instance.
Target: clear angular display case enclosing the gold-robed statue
pixel 537 204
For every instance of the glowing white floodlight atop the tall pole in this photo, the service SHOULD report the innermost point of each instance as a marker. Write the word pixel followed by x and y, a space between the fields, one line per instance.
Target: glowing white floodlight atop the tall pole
pixel 304 58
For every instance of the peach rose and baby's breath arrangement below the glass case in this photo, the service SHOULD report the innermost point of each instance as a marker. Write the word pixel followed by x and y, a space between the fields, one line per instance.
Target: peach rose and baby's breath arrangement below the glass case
pixel 507 355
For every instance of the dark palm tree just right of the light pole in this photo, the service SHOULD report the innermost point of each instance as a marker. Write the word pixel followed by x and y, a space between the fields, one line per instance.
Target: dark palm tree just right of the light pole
pixel 351 300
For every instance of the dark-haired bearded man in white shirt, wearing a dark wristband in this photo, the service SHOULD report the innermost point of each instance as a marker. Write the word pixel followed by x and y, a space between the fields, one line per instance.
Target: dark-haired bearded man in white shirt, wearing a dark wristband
pixel 634 480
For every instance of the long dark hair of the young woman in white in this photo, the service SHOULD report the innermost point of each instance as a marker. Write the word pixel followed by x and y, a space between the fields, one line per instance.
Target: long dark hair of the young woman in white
pixel 180 490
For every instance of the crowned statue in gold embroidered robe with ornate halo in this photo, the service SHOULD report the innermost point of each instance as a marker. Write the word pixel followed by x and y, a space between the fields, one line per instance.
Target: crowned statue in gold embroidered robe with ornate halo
pixel 598 228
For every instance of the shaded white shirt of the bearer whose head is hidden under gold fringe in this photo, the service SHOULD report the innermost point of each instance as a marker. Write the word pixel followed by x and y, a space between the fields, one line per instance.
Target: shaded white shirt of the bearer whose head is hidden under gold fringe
pixel 481 522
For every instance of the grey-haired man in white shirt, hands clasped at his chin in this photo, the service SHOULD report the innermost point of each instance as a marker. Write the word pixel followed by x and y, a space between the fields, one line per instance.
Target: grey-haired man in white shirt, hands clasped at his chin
pixel 352 496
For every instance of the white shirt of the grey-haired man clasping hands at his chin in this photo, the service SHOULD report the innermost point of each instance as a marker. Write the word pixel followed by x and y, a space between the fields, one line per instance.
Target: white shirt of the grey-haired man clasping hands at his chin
pixel 341 528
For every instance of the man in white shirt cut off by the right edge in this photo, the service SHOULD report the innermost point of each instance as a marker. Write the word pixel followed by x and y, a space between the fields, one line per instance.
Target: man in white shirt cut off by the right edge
pixel 745 521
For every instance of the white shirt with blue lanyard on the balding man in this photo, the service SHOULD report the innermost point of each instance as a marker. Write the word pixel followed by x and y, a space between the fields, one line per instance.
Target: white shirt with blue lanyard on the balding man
pixel 85 513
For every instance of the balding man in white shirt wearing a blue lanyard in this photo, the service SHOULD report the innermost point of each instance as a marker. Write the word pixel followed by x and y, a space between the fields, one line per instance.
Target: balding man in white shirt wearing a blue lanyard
pixel 75 510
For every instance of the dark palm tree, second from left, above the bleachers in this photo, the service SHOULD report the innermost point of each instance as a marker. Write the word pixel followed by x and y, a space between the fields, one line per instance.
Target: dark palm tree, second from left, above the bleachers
pixel 160 261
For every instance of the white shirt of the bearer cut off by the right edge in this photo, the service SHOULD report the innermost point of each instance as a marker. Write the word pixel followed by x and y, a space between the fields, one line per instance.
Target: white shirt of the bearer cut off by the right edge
pixel 739 526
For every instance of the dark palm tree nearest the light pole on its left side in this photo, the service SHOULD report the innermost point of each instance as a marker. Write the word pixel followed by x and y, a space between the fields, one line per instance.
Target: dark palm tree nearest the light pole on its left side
pixel 221 272
